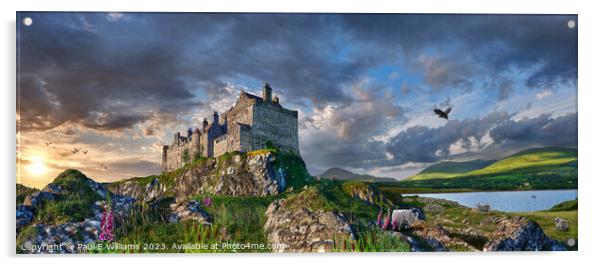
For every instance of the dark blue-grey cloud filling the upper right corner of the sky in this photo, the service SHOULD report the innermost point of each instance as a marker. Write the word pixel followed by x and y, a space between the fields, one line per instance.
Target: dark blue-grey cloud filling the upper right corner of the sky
pixel 494 42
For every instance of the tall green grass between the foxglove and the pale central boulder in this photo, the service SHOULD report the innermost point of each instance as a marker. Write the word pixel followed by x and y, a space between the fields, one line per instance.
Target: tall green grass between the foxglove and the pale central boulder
pixel 234 220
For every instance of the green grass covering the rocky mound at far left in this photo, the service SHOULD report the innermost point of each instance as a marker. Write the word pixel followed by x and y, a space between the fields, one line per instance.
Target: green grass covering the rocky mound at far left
pixel 74 205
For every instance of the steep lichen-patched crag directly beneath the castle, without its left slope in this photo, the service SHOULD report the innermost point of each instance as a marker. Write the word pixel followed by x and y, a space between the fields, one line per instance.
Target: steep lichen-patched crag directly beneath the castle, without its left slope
pixel 237 175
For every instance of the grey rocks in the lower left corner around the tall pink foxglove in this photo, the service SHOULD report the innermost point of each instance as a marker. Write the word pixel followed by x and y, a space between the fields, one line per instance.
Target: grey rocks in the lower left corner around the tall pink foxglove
pixel 66 235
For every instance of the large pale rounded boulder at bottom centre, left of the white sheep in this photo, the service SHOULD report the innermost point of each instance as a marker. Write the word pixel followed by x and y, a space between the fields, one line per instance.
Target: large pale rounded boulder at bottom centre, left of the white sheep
pixel 304 230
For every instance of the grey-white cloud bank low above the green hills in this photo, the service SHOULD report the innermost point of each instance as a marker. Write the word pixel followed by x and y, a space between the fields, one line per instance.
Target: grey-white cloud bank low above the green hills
pixel 426 145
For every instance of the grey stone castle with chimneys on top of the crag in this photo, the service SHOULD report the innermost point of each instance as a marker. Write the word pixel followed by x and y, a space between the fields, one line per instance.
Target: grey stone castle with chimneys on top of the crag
pixel 251 124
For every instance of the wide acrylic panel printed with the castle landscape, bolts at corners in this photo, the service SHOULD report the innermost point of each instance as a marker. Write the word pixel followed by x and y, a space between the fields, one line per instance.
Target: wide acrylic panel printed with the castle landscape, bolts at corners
pixel 293 132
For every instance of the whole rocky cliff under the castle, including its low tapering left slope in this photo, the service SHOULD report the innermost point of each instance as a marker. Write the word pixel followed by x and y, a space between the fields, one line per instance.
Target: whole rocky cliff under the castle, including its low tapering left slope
pixel 250 174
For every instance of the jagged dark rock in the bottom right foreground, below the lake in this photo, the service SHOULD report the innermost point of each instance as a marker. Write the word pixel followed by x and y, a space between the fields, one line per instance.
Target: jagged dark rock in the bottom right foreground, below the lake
pixel 520 234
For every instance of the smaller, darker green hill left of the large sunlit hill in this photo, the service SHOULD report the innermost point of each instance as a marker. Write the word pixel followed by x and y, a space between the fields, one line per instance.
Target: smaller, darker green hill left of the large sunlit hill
pixel 451 169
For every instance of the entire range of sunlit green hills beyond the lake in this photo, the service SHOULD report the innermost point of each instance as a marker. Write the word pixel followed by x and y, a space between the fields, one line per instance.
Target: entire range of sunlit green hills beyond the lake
pixel 534 161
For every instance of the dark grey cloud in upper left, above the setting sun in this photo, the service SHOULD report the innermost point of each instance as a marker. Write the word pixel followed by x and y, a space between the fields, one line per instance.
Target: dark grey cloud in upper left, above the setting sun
pixel 70 72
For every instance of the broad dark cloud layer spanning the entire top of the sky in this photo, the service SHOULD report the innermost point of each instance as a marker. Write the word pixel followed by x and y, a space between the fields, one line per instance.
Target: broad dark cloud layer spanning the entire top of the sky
pixel 75 66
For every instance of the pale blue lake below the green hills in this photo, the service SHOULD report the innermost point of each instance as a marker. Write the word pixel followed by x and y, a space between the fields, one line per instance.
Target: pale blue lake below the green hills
pixel 509 201
